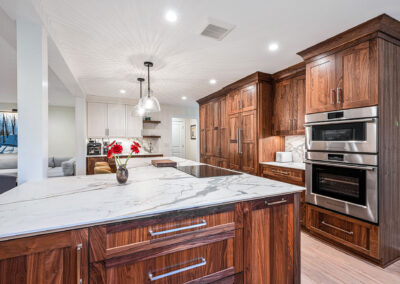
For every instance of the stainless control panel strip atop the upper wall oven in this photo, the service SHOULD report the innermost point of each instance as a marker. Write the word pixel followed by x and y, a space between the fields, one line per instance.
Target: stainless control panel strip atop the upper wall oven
pixel 353 113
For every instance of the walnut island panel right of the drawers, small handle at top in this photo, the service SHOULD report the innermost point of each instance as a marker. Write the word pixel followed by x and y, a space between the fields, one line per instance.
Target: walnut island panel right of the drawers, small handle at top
pixel 272 252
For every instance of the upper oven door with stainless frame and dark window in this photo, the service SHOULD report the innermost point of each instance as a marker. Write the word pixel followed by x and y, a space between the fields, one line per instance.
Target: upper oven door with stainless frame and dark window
pixel 352 135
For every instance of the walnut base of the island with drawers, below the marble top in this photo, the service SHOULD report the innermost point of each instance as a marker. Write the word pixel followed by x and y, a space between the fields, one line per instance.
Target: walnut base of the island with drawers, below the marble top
pixel 246 242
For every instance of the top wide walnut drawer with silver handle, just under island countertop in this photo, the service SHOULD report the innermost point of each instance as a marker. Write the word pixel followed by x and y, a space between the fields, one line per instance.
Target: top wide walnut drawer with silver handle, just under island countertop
pixel 136 236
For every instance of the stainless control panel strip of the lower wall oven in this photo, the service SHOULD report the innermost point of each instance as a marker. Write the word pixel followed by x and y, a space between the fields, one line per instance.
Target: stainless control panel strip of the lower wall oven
pixel 348 158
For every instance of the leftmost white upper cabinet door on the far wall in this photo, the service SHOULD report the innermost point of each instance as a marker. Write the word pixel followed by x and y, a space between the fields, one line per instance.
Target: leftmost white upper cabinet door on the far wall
pixel 96 120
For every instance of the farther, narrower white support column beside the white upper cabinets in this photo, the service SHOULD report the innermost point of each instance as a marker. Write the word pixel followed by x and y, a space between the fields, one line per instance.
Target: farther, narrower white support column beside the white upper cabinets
pixel 80 134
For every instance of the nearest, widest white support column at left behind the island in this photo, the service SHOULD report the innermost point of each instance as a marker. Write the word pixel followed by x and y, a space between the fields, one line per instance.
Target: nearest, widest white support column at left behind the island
pixel 32 83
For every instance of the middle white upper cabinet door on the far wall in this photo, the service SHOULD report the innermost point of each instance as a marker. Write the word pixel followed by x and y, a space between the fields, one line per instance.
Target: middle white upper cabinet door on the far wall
pixel 116 114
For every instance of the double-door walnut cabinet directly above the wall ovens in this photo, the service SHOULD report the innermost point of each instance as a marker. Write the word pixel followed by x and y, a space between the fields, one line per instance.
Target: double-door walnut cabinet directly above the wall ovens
pixel 343 80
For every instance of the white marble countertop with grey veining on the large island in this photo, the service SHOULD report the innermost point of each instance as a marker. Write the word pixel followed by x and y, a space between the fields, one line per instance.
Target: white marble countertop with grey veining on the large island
pixel 63 203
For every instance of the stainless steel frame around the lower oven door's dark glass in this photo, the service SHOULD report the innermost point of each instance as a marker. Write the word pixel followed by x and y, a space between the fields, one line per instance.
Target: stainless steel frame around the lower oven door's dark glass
pixel 368 212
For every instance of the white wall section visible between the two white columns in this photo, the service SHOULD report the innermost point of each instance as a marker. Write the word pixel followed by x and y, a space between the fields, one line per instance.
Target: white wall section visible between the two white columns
pixel 62 131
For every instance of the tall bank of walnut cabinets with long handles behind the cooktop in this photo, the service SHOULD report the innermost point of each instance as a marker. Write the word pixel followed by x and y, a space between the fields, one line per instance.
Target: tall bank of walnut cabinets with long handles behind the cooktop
pixel 238 116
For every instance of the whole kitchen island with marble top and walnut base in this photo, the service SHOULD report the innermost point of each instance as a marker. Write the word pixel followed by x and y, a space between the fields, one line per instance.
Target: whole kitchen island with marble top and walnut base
pixel 163 226
